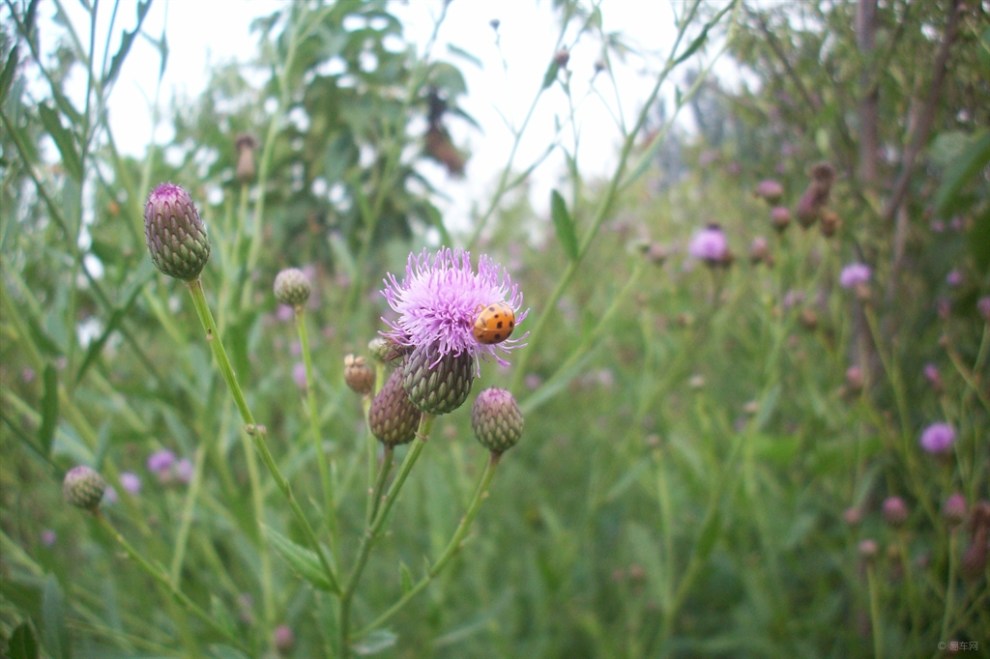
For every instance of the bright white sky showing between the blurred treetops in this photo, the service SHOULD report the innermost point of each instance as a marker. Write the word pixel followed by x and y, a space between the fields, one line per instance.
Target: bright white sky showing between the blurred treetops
pixel 204 33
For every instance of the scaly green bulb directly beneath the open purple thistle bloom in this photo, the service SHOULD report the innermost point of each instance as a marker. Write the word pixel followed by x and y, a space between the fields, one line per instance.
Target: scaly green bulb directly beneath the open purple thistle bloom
pixel 441 387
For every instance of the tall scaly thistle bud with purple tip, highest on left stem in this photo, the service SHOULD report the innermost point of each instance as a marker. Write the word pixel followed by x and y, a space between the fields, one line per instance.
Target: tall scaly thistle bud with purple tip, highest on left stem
pixel 175 235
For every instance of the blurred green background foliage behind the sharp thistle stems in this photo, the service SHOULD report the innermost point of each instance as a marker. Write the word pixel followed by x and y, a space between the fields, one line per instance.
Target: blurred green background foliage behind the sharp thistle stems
pixel 693 446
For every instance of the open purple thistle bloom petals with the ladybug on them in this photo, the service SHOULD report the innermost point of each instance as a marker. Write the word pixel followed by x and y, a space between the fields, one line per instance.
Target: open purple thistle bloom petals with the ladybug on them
pixel 439 299
